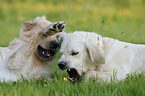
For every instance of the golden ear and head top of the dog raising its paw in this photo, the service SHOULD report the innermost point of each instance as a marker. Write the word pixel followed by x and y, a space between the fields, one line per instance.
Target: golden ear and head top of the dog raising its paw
pixel 30 28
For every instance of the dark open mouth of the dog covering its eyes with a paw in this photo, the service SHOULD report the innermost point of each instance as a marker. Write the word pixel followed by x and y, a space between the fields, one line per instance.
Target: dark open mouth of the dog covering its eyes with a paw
pixel 46 53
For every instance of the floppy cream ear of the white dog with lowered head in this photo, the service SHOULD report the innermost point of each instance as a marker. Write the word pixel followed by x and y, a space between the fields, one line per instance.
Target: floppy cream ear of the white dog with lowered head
pixel 95 50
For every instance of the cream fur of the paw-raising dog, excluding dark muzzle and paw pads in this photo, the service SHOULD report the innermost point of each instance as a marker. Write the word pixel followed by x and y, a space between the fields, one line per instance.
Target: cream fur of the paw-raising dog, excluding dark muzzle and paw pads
pixel 18 59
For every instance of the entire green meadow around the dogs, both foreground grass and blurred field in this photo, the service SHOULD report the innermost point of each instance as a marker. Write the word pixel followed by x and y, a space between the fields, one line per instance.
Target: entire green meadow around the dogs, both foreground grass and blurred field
pixel 120 19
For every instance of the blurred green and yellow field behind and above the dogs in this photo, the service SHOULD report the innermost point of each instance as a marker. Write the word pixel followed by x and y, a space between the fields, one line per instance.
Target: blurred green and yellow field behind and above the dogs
pixel 121 19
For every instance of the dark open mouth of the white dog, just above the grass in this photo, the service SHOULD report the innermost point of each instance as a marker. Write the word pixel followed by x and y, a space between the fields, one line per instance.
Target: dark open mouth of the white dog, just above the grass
pixel 73 75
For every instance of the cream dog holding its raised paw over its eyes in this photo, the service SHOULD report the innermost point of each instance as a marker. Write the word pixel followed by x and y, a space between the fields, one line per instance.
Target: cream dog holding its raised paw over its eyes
pixel 28 56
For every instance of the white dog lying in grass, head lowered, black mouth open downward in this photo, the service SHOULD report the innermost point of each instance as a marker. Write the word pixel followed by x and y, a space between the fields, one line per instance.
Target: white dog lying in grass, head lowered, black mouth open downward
pixel 99 57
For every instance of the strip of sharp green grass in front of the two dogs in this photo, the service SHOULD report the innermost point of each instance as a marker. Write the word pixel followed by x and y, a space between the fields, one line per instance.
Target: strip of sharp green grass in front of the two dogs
pixel 132 86
